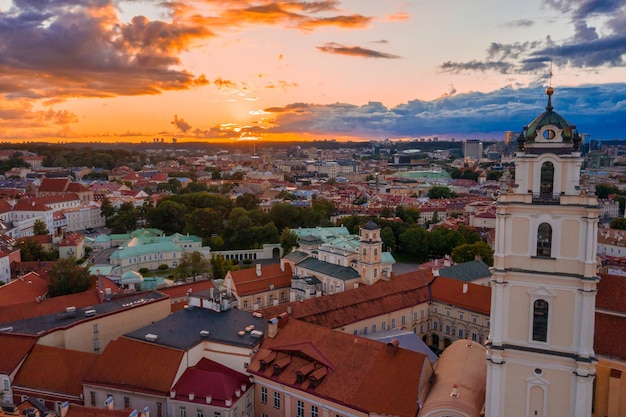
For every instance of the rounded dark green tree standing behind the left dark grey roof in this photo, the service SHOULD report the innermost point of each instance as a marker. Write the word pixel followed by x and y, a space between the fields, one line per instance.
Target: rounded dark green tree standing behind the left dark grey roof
pixel 66 277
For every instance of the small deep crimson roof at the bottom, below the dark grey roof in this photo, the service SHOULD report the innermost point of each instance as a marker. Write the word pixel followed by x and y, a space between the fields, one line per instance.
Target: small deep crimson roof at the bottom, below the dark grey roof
pixel 209 378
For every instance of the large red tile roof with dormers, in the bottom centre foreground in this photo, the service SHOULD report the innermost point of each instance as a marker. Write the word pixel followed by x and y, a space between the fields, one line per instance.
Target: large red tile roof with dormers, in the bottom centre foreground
pixel 352 371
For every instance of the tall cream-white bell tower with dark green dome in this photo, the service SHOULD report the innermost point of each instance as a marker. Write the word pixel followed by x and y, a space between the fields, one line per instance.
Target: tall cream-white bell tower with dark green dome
pixel 540 359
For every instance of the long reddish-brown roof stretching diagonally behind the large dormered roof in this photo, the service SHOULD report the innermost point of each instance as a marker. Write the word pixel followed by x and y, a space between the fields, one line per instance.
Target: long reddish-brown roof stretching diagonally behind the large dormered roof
pixel 350 306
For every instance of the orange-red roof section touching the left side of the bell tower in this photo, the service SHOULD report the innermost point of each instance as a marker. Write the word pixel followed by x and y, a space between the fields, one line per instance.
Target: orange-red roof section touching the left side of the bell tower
pixel 450 290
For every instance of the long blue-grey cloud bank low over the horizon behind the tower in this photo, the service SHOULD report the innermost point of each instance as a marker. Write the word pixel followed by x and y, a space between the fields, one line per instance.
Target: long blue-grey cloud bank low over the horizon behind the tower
pixel 597 110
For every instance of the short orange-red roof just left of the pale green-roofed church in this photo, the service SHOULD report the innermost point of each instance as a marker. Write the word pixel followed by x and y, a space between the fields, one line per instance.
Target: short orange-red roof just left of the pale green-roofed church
pixel 247 282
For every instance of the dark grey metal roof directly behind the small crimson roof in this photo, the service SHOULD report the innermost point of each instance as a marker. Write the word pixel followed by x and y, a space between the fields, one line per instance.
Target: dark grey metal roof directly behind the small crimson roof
pixel 181 330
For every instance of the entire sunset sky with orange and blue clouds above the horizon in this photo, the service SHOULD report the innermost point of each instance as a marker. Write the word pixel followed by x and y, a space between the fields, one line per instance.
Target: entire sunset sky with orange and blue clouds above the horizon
pixel 104 70
